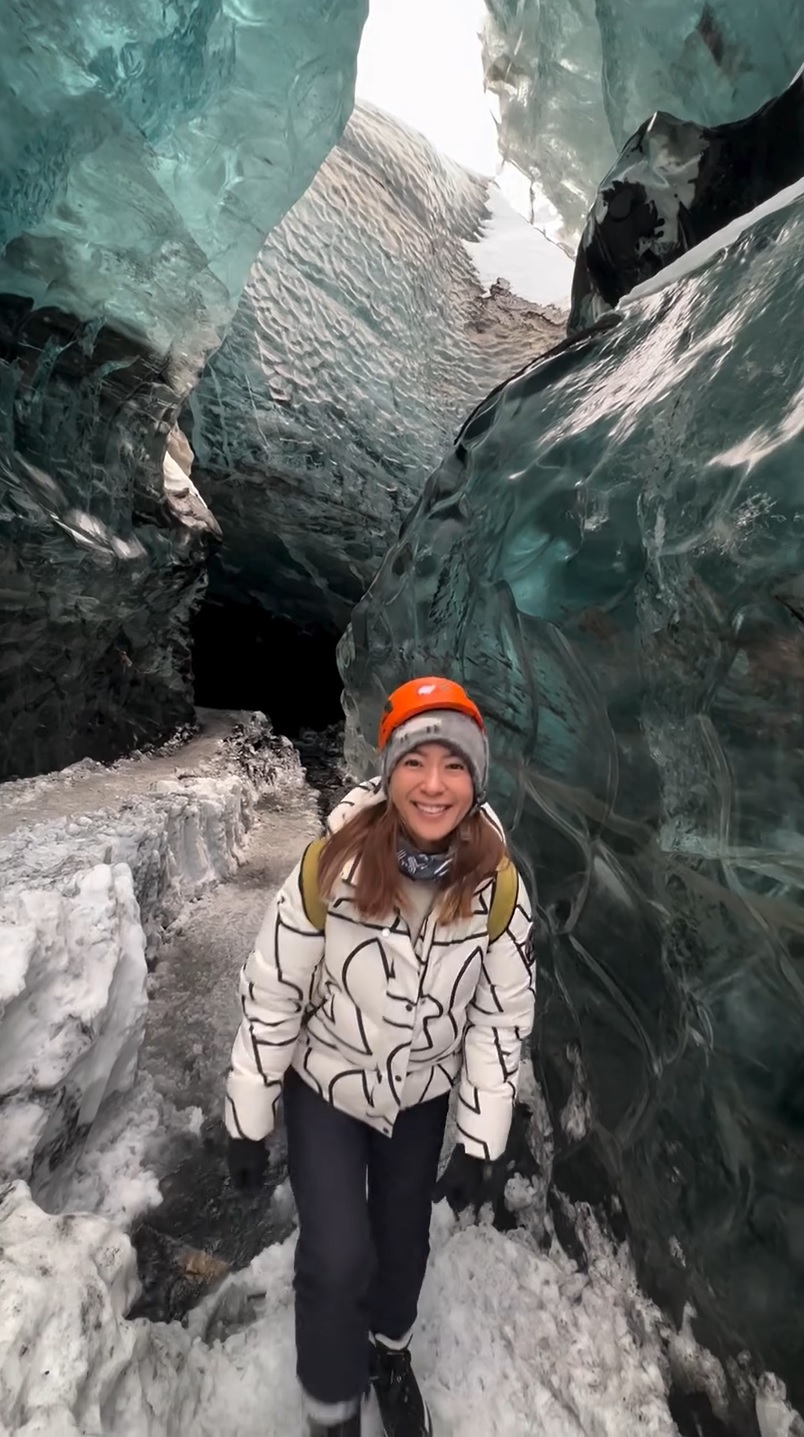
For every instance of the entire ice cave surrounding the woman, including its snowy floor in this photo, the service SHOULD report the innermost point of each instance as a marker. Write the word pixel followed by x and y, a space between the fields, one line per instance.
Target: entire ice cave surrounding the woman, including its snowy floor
pixel 296 405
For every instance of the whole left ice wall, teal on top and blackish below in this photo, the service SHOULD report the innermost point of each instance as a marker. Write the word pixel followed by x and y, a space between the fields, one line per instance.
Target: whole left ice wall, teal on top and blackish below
pixel 145 157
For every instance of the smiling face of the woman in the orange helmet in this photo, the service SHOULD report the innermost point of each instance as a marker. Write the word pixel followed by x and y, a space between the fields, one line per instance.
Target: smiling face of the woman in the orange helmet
pixel 432 793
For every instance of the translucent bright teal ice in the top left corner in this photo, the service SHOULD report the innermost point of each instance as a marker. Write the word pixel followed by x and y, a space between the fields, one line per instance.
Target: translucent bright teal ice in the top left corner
pixel 147 153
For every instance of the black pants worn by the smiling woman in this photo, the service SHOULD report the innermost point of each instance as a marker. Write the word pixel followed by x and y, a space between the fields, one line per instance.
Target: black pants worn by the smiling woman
pixel 362 1254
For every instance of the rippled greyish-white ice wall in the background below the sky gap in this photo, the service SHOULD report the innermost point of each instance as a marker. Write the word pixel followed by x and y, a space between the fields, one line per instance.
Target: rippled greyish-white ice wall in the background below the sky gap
pixel 360 346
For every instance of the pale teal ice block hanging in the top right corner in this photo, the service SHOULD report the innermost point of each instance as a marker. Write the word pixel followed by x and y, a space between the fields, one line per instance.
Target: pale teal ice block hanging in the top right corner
pixel 577 80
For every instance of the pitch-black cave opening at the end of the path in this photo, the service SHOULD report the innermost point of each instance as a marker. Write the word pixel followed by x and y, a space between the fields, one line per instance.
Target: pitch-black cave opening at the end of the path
pixel 245 657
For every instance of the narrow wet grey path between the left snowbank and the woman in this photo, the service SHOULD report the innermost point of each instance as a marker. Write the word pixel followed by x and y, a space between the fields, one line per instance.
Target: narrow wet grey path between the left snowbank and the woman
pixel 192 1020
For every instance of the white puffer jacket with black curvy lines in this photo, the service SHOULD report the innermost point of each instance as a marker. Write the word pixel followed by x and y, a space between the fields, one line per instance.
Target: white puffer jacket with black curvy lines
pixel 376 1022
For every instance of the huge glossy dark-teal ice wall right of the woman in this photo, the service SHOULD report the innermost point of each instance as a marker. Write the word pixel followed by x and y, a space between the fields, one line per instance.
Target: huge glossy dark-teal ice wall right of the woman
pixel 612 560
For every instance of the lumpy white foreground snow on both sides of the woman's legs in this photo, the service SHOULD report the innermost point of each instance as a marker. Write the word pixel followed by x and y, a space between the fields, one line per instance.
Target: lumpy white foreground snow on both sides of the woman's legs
pixel 510 1343
